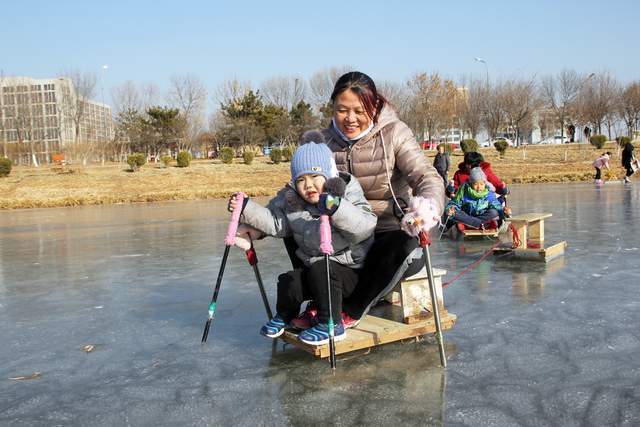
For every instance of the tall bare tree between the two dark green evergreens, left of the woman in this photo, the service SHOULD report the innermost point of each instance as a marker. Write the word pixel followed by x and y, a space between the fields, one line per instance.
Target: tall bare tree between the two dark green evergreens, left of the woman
pixel 189 94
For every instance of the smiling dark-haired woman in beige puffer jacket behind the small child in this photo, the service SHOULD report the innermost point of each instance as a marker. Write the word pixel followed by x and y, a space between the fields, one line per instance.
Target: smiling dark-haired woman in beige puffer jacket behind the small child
pixel 371 143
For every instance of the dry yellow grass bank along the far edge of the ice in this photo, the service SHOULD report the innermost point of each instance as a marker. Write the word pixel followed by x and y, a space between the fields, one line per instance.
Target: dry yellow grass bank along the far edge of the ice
pixel 28 187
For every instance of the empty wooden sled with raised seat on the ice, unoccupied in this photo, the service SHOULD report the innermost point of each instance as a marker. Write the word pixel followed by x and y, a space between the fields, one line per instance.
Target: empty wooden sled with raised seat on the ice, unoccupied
pixel 530 231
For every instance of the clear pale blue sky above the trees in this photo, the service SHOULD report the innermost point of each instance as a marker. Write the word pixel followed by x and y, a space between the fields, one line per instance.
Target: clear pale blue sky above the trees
pixel 150 41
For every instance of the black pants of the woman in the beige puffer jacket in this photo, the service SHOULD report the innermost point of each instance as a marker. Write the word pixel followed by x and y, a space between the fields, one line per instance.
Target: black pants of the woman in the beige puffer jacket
pixel 386 255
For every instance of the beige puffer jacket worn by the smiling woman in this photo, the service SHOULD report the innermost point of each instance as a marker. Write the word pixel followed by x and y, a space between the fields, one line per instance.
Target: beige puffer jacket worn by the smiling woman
pixel 410 172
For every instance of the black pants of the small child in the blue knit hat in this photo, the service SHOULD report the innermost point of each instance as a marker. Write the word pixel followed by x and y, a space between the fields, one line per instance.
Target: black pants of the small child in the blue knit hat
pixel 310 283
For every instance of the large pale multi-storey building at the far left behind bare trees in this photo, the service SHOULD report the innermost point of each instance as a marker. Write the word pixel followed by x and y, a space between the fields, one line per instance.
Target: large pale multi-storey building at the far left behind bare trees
pixel 37 118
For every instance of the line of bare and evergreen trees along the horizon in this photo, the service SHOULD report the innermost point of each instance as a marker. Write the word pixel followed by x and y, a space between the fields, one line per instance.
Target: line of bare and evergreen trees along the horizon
pixel 280 109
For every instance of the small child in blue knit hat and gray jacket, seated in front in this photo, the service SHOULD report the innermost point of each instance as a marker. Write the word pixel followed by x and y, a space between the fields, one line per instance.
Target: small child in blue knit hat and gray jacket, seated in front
pixel 315 189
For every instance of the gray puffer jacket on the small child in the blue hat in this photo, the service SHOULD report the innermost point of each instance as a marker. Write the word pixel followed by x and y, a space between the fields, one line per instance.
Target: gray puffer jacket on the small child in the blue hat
pixel 287 214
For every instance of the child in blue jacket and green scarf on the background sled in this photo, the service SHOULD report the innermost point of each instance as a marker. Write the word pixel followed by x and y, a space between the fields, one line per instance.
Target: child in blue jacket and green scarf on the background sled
pixel 474 204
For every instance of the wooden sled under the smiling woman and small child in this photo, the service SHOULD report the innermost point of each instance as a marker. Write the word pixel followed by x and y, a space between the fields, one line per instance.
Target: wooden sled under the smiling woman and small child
pixel 404 318
